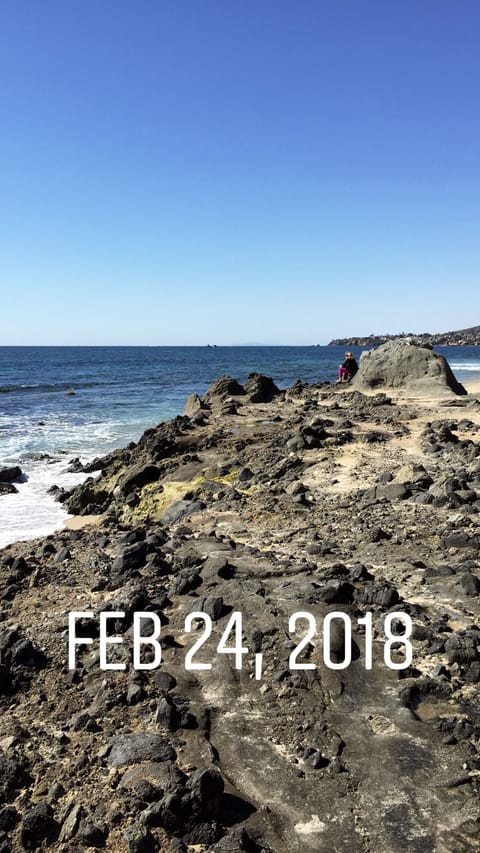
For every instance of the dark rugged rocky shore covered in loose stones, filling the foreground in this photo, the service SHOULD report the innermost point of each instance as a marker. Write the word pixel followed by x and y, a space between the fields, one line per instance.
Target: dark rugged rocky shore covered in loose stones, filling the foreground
pixel 264 502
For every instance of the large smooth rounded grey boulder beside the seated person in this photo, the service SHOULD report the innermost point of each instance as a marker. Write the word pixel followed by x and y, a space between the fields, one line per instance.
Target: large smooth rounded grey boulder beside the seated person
pixel 404 364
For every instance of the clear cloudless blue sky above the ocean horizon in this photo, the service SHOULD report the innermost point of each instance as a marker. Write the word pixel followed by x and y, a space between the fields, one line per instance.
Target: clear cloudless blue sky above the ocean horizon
pixel 209 171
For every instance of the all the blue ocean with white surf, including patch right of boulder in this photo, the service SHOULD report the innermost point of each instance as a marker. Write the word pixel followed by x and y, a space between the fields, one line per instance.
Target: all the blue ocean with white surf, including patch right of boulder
pixel 61 402
